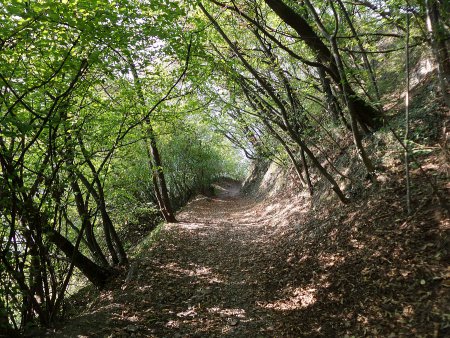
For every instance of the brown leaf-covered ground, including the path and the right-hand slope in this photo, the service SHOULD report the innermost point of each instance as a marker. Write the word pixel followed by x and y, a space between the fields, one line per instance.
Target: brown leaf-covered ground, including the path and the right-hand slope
pixel 239 267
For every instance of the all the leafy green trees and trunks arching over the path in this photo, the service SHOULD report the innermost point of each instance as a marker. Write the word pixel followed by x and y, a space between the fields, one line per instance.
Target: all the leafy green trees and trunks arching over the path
pixel 115 112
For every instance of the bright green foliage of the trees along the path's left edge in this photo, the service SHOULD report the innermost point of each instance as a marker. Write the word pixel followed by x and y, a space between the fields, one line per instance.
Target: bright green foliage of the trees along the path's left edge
pixel 67 109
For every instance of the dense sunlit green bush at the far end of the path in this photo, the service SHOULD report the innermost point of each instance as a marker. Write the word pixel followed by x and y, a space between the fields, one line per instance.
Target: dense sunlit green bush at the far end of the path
pixel 195 156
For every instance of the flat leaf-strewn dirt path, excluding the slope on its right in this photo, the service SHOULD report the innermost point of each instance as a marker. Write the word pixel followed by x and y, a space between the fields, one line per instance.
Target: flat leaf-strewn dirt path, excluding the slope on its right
pixel 215 273
